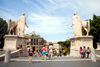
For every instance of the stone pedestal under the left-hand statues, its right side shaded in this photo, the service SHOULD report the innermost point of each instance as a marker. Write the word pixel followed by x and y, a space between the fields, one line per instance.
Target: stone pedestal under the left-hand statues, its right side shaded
pixel 11 42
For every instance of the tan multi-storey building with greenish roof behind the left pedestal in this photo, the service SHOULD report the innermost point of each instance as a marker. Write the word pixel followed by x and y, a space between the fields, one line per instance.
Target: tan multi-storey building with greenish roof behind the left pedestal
pixel 35 41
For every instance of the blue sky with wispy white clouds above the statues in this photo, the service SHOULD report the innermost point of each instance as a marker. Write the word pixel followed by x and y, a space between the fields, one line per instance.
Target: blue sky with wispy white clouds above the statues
pixel 51 19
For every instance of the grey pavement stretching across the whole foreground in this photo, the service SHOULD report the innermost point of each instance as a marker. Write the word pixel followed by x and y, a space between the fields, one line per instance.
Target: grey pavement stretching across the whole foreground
pixel 56 62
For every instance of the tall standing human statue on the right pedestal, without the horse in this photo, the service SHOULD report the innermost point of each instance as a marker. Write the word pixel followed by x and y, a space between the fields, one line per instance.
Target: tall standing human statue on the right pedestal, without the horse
pixel 77 24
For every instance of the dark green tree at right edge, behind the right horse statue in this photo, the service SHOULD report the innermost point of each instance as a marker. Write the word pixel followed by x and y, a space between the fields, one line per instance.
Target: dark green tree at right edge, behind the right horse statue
pixel 95 29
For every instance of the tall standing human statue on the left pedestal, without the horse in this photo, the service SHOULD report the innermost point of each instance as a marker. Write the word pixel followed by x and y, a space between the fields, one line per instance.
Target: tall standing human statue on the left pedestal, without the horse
pixel 21 21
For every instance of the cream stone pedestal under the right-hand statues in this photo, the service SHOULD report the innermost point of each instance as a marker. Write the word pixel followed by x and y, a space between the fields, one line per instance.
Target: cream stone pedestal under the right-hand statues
pixel 77 42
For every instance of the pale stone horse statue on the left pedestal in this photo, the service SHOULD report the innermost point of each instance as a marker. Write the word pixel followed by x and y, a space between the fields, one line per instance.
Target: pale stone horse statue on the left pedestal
pixel 11 26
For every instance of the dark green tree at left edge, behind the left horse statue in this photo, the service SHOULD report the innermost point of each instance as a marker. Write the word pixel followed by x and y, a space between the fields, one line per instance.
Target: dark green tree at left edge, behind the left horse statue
pixel 3 31
